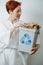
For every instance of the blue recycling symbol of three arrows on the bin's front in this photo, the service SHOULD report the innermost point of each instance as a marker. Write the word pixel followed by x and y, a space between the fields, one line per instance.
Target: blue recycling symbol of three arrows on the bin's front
pixel 26 39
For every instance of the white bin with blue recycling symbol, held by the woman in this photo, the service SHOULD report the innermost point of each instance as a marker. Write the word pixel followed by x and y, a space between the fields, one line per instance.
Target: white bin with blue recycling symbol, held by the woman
pixel 27 39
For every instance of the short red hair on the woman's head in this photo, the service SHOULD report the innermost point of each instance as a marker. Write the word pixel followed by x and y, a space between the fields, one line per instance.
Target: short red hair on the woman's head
pixel 11 5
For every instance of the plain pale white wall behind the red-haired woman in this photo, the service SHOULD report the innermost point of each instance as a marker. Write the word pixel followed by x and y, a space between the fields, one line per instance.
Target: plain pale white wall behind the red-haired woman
pixel 32 10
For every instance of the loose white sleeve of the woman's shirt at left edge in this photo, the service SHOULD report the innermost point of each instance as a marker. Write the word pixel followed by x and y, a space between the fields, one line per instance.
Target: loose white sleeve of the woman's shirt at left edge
pixel 4 36
